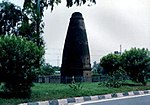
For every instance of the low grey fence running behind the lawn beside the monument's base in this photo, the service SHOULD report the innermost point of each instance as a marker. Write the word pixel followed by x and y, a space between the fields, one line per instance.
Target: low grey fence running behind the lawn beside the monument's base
pixel 57 79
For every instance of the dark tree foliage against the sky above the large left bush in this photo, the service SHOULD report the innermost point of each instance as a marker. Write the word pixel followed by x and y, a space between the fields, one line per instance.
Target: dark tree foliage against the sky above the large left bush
pixel 25 23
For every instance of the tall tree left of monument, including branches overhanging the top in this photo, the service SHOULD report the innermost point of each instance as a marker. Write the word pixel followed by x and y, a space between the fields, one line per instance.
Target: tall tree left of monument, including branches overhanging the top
pixel 34 9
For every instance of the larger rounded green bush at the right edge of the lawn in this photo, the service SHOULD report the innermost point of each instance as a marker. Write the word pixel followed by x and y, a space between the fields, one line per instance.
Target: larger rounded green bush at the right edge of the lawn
pixel 136 62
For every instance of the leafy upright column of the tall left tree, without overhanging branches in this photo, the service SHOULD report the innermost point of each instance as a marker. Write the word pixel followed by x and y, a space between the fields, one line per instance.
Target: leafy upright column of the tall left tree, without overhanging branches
pixel 33 25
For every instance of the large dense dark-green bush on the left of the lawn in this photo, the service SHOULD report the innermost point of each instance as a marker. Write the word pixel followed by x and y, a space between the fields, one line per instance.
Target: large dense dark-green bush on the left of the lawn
pixel 18 64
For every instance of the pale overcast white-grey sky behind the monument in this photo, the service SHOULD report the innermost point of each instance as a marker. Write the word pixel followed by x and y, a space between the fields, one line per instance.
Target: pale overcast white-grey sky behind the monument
pixel 109 24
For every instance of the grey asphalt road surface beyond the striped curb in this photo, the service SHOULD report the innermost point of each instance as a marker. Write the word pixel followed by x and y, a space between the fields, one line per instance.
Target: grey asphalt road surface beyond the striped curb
pixel 143 100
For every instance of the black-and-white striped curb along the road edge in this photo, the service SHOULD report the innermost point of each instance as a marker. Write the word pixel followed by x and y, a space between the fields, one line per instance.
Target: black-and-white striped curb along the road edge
pixel 71 101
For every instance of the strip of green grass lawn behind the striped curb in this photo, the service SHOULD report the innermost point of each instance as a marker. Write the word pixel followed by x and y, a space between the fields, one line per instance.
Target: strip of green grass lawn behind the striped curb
pixel 47 91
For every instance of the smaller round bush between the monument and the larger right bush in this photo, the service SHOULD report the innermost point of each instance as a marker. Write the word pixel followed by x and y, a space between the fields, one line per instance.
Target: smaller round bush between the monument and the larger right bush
pixel 111 63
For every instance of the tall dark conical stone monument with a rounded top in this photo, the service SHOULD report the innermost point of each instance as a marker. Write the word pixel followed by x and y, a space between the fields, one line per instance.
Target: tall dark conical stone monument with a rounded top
pixel 76 57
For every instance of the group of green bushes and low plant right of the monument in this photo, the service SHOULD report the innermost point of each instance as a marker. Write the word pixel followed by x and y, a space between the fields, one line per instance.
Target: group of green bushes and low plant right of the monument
pixel 133 64
